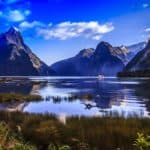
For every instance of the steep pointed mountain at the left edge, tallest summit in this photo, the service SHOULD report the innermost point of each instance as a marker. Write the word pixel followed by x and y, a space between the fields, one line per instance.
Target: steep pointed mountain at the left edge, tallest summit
pixel 16 58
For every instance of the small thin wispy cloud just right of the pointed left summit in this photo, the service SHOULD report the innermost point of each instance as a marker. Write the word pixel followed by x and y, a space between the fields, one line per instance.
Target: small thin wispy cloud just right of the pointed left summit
pixel 27 25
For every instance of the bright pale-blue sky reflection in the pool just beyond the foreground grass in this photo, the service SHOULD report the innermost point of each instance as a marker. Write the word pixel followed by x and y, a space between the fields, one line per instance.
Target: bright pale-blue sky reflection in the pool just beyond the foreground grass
pixel 69 109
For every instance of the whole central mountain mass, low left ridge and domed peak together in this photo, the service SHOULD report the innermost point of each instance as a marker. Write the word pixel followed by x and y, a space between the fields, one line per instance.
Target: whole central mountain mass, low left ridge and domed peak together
pixel 105 59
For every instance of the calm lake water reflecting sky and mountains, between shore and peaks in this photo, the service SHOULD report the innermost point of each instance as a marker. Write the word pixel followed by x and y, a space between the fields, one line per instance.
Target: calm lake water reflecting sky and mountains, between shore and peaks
pixel 67 96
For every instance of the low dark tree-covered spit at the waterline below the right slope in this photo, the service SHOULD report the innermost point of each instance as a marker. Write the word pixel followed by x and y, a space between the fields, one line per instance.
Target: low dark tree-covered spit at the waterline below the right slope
pixel 138 73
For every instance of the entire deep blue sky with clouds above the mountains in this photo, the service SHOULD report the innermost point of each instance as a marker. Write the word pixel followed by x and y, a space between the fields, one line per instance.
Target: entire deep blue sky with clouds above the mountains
pixel 58 29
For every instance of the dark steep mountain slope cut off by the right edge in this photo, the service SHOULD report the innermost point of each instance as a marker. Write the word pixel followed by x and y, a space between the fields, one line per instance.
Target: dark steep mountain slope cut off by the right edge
pixel 141 61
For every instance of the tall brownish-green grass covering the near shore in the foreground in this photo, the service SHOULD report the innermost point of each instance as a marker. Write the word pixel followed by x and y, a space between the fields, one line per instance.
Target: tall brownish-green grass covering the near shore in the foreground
pixel 46 132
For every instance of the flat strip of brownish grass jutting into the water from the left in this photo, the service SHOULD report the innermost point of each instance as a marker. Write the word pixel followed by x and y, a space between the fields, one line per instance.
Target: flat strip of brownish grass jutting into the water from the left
pixel 14 97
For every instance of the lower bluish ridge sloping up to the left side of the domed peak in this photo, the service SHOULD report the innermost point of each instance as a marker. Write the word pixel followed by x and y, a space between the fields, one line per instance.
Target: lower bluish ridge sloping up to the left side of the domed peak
pixel 75 66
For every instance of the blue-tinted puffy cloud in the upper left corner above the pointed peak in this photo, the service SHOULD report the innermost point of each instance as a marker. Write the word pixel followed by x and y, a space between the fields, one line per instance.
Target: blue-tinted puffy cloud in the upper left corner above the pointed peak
pixel 14 15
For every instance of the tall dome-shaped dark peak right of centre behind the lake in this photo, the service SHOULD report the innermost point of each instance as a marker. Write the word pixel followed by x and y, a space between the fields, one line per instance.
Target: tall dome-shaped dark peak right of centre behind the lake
pixel 107 60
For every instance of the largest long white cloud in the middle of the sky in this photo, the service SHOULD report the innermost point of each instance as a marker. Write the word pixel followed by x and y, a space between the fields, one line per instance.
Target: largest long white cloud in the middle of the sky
pixel 66 30
